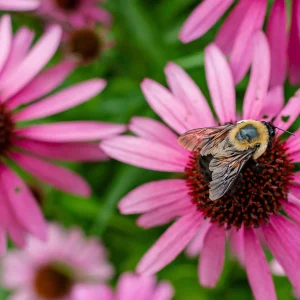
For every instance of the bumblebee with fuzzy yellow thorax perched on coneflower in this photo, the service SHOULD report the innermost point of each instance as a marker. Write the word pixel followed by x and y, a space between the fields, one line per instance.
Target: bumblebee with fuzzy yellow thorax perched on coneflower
pixel 224 150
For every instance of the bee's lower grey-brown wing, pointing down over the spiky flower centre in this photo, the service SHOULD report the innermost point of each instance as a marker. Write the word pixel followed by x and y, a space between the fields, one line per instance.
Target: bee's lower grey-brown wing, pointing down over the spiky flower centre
pixel 225 167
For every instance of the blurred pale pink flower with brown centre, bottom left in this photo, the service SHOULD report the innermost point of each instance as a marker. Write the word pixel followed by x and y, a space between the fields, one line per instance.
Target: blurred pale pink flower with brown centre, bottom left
pixel 53 269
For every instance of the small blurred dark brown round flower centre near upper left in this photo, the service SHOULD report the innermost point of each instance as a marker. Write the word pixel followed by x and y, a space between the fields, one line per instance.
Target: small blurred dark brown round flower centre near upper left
pixel 86 44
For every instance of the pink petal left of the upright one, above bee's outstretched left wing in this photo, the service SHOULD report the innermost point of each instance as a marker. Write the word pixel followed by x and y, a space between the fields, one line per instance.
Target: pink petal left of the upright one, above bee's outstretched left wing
pixel 185 89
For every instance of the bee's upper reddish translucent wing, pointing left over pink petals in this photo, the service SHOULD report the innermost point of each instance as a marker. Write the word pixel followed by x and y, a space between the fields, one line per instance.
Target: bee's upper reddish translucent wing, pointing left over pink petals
pixel 207 139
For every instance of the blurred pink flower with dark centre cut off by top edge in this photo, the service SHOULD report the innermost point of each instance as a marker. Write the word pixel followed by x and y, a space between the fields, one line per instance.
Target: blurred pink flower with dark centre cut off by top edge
pixel 77 13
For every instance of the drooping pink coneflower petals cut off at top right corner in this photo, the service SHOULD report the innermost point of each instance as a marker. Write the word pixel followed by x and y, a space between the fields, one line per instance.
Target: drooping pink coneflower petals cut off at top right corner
pixel 235 35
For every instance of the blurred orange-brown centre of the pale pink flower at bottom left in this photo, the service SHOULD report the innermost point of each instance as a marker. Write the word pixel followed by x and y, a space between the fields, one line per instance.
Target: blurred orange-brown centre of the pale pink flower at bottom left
pixel 52 283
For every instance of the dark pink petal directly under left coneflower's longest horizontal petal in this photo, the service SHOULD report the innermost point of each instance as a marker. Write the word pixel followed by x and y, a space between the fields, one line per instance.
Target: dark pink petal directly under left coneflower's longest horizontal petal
pixel 63 151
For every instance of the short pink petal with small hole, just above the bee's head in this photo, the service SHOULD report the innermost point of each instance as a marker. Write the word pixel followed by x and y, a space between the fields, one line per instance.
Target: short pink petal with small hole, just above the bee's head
pixel 273 102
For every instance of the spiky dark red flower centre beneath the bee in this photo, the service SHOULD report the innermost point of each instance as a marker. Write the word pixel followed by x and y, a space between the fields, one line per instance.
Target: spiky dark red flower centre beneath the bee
pixel 256 196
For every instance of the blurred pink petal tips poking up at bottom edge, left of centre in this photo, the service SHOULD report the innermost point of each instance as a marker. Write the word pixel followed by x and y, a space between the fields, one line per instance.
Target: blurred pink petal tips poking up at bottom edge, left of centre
pixel 129 287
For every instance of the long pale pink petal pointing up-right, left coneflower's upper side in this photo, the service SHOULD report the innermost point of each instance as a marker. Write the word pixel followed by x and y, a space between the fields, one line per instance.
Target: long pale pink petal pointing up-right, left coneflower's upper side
pixel 31 66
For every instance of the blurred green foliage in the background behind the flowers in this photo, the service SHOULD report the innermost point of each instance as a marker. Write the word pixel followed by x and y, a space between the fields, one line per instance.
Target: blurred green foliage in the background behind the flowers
pixel 145 34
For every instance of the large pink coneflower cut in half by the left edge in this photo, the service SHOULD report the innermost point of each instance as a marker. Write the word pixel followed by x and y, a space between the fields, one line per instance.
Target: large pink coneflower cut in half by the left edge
pixel 32 147
